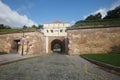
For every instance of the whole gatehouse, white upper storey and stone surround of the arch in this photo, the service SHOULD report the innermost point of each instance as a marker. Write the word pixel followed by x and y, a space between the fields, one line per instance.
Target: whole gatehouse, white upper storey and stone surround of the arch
pixel 55 31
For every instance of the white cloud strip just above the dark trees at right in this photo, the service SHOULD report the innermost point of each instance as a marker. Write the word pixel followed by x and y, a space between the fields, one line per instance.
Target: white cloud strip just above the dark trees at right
pixel 103 11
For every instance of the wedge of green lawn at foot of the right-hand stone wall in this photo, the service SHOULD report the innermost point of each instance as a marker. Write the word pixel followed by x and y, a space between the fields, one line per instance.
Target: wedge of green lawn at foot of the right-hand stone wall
pixel 113 59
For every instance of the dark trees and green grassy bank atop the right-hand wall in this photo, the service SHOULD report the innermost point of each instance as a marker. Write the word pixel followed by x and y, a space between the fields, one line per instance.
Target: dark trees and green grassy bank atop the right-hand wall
pixel 112 18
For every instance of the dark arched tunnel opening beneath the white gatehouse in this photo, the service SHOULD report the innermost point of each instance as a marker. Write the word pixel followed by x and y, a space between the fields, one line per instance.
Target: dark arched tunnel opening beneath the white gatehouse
pixel 57 46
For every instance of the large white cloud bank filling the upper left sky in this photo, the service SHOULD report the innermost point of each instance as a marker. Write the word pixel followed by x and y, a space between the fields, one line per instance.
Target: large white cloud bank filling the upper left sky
pixel 13 18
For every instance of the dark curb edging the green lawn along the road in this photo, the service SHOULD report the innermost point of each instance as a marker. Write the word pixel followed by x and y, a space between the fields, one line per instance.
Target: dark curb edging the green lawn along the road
pixel 108 66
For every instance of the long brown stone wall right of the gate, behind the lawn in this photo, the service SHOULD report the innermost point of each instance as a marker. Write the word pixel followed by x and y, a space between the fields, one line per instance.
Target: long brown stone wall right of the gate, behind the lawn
pixel 95 40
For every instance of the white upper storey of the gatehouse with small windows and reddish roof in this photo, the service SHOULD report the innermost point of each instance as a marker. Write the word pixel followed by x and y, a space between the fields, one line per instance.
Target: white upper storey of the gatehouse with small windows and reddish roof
pixel 56 28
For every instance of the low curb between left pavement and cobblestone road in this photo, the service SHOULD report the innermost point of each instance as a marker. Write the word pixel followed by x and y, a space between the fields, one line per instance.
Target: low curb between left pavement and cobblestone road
pixel 19 59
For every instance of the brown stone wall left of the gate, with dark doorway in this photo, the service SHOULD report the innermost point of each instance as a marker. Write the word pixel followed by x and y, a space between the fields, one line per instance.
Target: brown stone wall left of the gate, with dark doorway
pixel 11 43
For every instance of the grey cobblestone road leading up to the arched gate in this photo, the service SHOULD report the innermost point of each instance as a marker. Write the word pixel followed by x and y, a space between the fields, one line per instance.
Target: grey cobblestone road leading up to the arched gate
pixel 54 67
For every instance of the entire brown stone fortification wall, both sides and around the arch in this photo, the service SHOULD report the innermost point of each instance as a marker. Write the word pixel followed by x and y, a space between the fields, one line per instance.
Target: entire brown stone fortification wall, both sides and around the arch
pixel 82 41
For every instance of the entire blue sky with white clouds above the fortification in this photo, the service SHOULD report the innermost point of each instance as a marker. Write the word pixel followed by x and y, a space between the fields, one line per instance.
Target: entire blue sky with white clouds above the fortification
pixel 17 13
